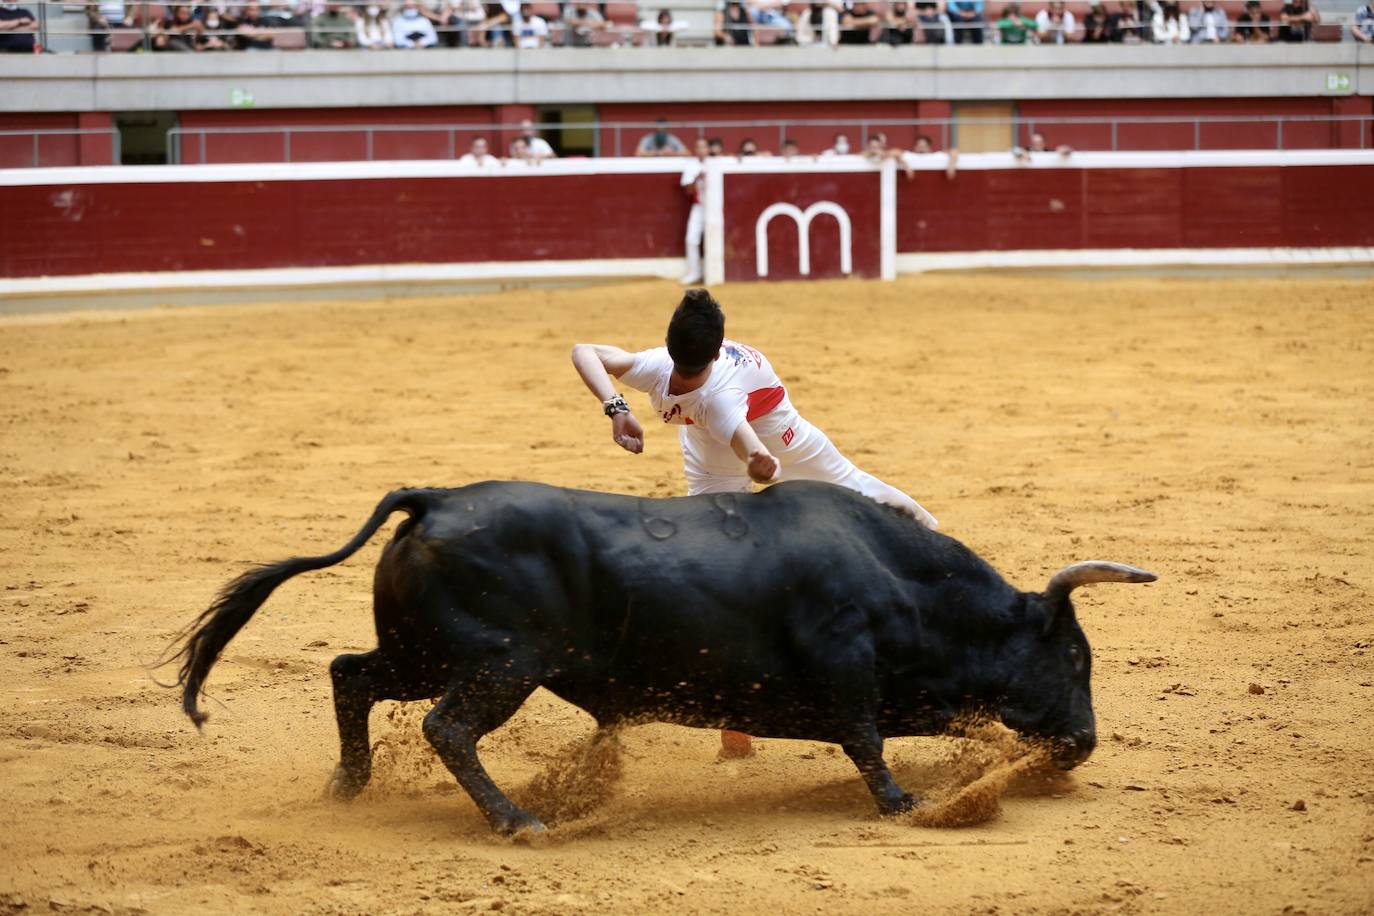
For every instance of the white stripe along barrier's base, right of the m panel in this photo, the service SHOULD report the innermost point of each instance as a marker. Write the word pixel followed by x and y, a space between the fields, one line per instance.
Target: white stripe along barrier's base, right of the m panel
pixel 1129 257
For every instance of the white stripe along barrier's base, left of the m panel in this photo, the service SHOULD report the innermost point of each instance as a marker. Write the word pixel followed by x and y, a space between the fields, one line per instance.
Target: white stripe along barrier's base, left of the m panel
pixel 370 274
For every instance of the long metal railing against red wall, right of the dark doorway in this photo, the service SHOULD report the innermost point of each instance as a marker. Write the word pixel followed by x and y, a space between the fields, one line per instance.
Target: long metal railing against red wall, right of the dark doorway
pixel 618 139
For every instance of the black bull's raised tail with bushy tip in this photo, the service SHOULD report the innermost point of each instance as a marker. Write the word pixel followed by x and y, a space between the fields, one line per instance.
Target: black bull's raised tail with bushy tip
pixel 212 631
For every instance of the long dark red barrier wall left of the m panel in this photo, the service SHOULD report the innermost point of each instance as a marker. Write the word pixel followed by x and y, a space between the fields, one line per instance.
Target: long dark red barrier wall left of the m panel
pixel 100 229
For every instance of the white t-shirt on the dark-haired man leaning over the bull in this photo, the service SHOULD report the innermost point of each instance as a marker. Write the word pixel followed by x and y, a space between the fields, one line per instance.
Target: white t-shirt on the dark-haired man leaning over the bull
pixel 743 387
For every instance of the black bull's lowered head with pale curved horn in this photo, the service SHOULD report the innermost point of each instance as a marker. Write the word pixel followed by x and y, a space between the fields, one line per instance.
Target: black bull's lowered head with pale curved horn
pixel 1049 694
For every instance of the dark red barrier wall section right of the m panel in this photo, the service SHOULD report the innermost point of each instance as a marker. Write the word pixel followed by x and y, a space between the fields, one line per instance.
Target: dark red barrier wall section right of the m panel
pixel 1059 208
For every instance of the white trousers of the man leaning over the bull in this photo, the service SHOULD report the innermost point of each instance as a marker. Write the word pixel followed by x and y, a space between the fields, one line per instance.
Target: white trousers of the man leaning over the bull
pixel 804 453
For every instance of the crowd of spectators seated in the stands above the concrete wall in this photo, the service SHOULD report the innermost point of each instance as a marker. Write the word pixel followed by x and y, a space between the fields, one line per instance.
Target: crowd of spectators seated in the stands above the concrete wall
pixel 238 25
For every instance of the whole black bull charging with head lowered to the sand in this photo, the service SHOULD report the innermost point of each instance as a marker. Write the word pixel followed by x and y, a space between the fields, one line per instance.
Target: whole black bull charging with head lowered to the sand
pixel 802 612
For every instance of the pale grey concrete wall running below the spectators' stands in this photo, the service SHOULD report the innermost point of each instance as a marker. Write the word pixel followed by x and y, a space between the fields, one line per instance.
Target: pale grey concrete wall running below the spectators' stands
pixel 608 76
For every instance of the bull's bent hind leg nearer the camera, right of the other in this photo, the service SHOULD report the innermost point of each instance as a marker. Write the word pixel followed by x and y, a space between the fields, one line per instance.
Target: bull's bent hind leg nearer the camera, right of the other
pixel 472 708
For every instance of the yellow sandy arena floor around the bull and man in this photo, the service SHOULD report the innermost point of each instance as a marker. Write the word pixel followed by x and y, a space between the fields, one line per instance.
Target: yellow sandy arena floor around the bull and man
pixel 1219 433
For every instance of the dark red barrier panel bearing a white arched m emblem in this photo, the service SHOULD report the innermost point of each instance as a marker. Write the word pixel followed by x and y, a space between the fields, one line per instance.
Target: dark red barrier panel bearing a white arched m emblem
pixel 750 196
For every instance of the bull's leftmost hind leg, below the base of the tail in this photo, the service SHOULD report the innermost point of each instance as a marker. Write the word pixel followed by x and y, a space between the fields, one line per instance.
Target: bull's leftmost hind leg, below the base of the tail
pixel 359 683
